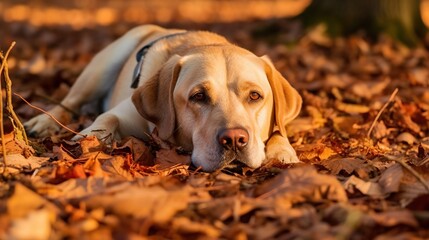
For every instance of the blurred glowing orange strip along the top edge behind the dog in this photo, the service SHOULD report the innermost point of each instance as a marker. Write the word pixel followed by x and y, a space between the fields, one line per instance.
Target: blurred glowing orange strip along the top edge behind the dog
pixel 86 13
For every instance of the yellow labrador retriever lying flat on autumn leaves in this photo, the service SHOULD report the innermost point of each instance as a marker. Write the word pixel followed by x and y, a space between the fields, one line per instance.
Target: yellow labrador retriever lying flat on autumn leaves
pixel 213 98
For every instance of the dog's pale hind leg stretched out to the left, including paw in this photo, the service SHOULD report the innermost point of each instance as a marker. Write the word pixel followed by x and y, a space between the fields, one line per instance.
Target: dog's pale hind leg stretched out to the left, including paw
pixel 95 81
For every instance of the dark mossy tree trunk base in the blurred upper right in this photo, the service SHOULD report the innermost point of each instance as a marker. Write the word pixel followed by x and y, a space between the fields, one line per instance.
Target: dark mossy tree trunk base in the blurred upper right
pixel 400 19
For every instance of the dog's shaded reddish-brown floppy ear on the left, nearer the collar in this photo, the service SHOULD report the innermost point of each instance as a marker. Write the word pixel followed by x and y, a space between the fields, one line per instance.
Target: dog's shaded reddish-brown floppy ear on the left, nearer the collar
pixel 154 99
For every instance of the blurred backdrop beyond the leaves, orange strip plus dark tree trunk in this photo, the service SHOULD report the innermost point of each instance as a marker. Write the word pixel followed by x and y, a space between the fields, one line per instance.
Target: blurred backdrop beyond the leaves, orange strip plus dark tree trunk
pixel 405 20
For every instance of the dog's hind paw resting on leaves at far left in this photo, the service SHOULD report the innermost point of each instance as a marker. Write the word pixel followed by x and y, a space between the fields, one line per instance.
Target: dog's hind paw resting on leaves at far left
pixel 43 125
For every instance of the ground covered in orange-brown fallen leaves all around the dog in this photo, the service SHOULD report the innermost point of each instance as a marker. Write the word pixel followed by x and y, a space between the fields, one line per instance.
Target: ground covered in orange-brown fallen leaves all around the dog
pixel 364 148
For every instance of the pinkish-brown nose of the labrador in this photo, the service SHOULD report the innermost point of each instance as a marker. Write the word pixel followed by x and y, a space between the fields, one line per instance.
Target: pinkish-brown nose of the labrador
pixel 233 138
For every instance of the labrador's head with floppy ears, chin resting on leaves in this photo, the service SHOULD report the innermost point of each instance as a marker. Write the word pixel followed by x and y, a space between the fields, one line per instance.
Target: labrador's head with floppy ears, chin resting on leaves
pixel 222 102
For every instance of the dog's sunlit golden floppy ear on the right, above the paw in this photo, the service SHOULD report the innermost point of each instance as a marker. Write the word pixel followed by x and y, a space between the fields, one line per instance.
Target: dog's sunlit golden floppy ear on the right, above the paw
pixel 287 101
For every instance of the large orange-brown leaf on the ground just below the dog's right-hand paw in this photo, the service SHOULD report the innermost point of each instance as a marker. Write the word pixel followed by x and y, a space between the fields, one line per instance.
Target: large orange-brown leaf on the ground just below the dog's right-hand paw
pixel 302 184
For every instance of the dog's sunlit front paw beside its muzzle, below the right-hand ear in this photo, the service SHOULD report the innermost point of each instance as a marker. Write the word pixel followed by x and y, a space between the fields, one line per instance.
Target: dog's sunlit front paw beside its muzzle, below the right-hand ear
pixel 278 147
